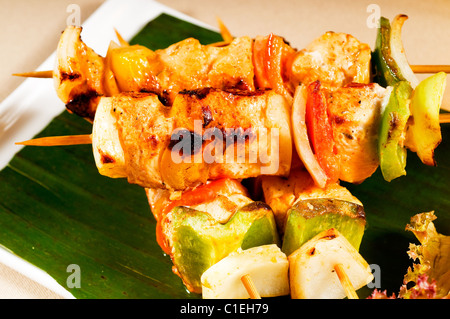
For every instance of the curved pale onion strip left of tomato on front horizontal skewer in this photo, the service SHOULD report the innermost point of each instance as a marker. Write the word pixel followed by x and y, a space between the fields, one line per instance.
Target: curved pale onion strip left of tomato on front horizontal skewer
pixel 301 139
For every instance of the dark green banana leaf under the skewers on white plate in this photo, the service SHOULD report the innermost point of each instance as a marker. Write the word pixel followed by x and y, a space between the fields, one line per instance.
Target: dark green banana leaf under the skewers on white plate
pixel 56 210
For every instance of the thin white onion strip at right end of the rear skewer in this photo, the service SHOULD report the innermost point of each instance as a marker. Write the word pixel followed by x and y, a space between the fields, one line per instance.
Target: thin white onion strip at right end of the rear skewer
pixel 398 52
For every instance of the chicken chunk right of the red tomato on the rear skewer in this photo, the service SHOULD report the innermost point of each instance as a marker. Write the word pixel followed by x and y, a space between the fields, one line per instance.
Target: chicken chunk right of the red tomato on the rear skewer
pixel 335 59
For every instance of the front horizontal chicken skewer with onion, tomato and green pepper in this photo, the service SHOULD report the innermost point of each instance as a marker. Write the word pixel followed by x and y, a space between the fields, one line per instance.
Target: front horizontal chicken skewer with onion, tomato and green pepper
pixel 336 133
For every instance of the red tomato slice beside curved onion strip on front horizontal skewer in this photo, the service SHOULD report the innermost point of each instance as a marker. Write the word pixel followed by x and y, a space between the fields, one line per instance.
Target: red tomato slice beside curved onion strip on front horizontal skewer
pixel 320 131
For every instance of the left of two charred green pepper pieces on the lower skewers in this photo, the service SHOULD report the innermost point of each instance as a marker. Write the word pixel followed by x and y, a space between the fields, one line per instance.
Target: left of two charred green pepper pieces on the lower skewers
pixel 197 240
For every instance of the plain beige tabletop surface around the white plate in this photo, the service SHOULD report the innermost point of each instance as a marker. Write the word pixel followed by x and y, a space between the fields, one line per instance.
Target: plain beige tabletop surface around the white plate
pixel 30 31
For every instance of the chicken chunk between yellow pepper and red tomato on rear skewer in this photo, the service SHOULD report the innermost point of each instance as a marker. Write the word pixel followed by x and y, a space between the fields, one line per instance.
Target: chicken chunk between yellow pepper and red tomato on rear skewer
pixel 188 65
